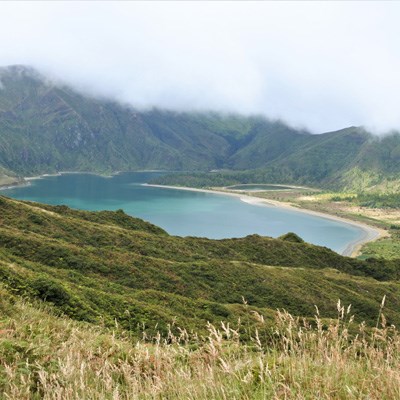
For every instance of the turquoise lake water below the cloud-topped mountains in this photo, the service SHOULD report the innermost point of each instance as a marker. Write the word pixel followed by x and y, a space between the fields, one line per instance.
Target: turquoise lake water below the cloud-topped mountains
pixel 181 212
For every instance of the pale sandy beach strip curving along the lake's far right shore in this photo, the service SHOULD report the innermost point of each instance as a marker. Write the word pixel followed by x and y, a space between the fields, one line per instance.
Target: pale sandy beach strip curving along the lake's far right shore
pixel 370 233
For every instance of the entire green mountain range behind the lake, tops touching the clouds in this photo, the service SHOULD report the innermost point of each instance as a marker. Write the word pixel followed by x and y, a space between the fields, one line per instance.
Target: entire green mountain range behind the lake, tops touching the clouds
pixel 47 128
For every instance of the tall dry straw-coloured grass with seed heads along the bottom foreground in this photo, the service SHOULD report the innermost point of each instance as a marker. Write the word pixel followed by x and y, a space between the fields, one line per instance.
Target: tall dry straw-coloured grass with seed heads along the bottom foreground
pixel 47 357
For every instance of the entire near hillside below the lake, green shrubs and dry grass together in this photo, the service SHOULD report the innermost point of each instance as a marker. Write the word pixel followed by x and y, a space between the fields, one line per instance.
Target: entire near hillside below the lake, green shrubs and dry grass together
pixel 104 305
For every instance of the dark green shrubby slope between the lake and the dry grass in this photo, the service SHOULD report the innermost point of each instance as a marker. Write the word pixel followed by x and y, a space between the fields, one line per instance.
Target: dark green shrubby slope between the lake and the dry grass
pixel 105 266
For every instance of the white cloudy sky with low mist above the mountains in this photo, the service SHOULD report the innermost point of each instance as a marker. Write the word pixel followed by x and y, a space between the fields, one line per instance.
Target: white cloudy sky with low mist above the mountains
pixel 321 66
